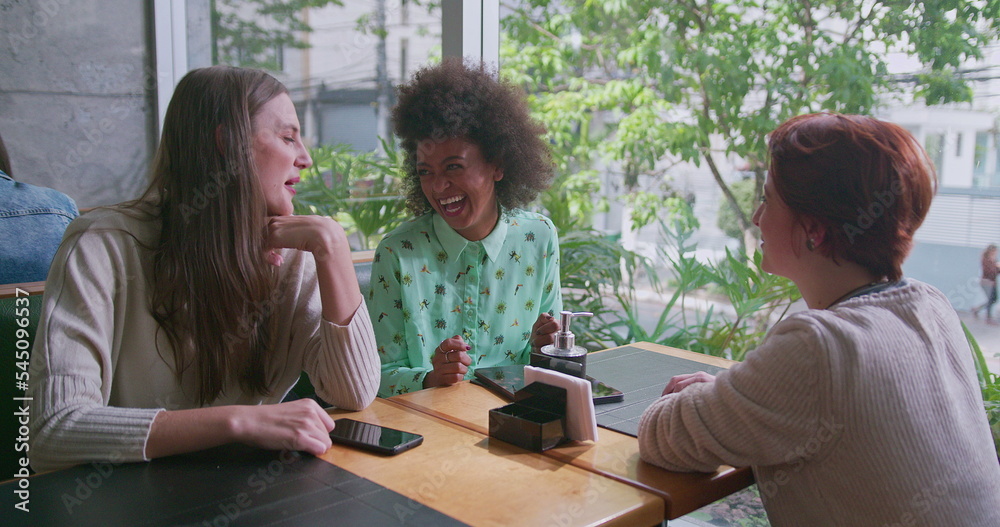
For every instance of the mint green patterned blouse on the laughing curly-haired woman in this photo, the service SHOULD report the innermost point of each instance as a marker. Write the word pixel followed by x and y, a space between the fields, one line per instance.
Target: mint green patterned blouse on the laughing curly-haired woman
pixel 429 284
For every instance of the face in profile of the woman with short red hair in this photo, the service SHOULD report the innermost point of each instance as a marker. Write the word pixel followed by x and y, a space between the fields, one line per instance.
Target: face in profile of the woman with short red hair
pixel 780 233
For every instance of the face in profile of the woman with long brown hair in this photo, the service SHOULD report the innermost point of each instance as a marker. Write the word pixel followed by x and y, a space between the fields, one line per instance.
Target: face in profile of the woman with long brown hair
pixel 278 153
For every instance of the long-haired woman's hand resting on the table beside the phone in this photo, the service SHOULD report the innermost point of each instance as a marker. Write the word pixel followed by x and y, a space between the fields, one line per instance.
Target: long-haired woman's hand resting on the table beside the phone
pixel 296 425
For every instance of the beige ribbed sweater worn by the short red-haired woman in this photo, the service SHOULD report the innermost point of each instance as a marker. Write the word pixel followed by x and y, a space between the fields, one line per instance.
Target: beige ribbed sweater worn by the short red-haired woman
pixel 868 413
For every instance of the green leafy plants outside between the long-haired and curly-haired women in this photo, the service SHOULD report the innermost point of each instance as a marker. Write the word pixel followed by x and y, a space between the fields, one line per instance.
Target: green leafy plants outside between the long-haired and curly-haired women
pixel 360 190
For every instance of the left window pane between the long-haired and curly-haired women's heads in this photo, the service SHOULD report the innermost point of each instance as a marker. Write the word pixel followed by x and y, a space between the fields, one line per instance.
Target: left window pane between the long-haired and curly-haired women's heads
pixel 340 60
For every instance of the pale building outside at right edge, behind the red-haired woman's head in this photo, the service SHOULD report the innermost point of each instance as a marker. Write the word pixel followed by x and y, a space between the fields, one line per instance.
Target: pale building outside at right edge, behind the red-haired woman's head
pixel 963 141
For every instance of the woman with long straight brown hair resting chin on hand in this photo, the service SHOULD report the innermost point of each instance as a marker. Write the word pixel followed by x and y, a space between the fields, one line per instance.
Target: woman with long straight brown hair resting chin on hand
pixel 170 322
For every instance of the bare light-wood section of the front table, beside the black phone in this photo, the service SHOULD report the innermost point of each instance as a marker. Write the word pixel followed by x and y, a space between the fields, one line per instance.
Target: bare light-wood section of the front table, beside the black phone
pixel 461 473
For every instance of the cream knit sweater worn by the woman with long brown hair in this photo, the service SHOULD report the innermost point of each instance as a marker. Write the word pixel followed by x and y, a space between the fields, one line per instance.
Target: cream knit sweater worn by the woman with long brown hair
pixel 98 379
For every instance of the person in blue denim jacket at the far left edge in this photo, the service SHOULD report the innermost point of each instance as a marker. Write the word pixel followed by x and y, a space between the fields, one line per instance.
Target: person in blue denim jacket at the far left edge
pixel 32 221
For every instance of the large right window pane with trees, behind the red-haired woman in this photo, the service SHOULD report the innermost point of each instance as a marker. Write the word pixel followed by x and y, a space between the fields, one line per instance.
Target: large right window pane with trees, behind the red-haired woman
pixel 657 113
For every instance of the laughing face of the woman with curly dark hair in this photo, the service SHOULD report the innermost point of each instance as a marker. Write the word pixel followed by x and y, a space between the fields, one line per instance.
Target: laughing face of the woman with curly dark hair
pixel 460 185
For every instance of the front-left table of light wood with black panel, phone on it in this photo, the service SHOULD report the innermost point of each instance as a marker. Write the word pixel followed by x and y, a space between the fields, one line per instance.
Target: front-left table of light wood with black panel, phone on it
pixel 456 472
